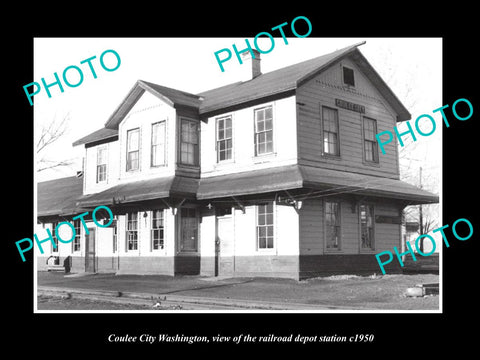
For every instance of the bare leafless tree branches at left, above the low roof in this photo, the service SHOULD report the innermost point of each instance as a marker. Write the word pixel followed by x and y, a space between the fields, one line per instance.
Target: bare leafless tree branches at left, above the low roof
pixel 49 134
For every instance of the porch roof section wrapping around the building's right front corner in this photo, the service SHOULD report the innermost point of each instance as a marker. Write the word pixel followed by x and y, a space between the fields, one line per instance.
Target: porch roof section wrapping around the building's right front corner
pixel 323 181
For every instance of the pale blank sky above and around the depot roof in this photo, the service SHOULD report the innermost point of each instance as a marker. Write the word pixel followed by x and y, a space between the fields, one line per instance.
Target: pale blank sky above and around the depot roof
pixel 411 67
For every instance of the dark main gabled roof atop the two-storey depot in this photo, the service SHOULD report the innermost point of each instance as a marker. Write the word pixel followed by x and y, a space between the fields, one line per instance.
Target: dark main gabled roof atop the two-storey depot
pixel 275 83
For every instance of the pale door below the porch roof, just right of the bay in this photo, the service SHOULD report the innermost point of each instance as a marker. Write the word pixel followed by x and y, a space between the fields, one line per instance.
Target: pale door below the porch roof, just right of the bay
pixel 225 257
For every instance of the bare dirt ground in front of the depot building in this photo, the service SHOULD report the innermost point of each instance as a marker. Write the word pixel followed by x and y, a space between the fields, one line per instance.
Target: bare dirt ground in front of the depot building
pixel 345 291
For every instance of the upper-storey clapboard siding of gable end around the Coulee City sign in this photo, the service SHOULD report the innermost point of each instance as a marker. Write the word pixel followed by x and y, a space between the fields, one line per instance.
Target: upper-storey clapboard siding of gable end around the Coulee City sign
pixel 322 91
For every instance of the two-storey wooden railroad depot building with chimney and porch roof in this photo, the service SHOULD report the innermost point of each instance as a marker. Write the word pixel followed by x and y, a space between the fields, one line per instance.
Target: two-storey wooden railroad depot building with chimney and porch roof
pixel 278 175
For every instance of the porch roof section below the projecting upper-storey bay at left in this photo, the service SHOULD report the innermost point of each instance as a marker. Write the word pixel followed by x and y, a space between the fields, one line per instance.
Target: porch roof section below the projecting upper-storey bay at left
pixel 157 188
